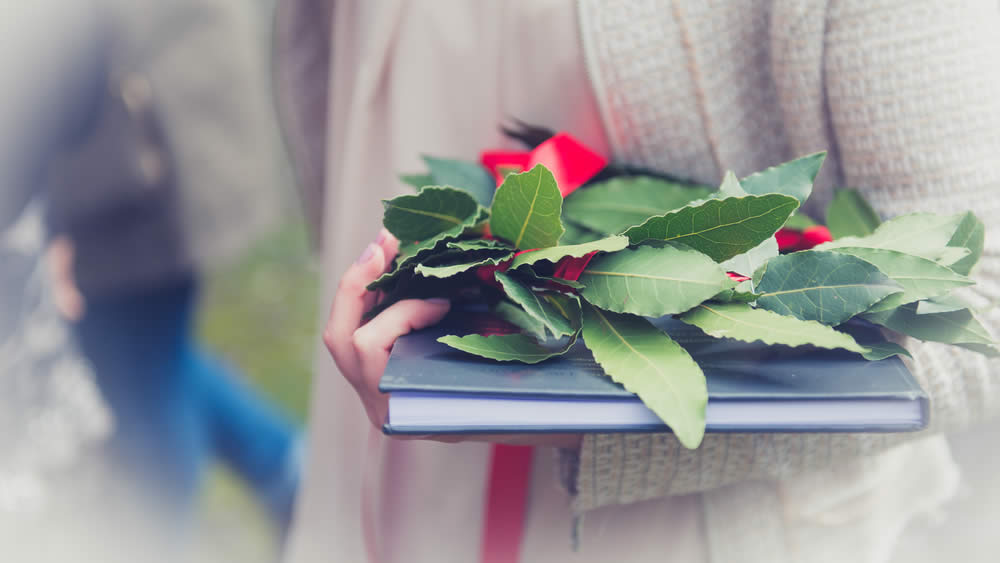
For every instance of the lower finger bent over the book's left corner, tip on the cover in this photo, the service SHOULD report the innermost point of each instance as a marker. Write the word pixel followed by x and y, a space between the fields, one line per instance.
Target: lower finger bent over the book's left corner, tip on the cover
pixel 373 342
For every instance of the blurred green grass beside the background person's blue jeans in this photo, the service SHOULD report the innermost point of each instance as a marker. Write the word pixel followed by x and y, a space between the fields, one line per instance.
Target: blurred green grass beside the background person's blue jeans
pixel 261 315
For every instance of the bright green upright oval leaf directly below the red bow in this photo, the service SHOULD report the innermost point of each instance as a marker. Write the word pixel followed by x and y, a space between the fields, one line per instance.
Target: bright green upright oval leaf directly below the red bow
pixel 526 210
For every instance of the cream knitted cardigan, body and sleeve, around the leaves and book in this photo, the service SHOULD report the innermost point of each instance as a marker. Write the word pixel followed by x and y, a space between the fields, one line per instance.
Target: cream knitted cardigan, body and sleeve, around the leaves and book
pixel 906 97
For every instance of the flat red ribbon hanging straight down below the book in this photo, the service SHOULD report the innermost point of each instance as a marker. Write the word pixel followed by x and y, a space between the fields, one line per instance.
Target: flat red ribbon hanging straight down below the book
pixel 506 503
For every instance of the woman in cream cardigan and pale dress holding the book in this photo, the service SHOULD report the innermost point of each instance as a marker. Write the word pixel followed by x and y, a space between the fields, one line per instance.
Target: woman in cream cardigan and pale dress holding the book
pixel 904 95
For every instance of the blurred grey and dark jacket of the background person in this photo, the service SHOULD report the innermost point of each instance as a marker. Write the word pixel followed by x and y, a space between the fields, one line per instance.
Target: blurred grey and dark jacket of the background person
pixel 181 165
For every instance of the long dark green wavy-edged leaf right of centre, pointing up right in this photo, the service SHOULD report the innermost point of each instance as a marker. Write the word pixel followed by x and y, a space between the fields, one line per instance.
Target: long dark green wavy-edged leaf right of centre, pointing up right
pixel 720 228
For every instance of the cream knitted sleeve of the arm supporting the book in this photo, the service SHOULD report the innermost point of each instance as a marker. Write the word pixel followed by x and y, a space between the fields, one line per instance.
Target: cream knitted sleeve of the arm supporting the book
pixel 912 104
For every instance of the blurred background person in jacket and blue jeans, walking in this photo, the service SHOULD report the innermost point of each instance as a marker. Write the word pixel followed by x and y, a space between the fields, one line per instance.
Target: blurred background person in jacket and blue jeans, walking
pixel 176 173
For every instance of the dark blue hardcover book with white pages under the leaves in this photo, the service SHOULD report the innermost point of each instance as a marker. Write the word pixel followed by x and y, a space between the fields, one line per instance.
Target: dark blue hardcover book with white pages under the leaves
pixel 752 387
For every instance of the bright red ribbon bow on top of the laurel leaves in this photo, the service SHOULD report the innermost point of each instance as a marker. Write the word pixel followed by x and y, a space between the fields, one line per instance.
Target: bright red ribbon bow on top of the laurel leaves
pixel 570 161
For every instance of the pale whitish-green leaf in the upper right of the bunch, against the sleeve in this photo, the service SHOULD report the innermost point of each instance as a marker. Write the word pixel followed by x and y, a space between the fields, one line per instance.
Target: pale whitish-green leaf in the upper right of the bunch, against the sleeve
pixel 921 234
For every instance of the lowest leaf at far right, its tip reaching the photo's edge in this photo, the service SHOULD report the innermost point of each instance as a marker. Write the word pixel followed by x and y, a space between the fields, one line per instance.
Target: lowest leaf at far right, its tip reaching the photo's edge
pixel 956 327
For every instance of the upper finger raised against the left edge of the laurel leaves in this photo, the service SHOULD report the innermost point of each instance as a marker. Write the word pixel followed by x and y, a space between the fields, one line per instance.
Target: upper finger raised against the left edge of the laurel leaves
pixel 349 305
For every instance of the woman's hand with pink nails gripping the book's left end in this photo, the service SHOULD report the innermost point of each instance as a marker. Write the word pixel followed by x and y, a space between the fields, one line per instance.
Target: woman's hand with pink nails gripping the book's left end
pixel 361 350
